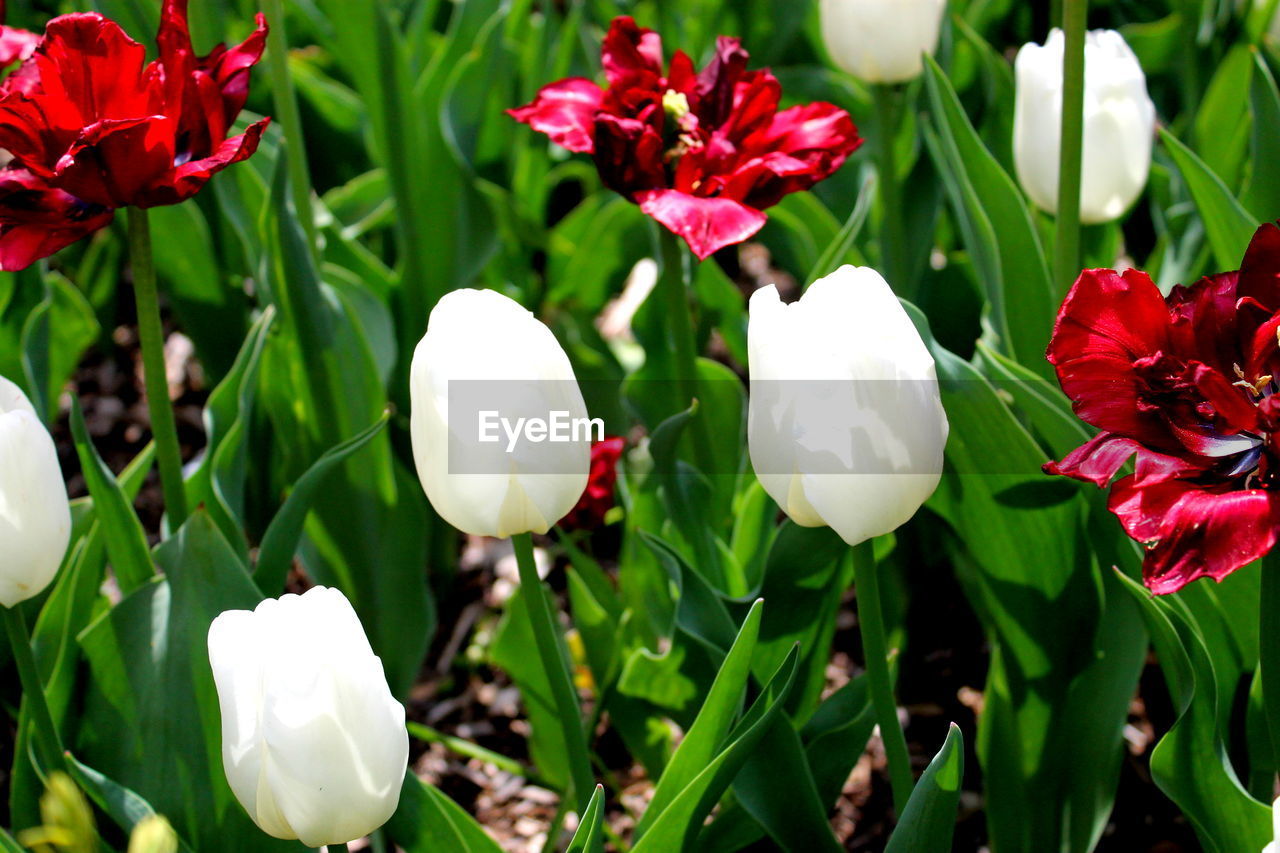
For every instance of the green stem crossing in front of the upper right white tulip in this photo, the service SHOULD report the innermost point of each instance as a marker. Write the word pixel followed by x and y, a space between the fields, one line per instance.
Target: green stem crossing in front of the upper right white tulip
pixel 1071 165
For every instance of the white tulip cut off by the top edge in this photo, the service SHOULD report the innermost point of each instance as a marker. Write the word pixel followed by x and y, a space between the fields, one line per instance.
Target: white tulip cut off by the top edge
pixel 881 42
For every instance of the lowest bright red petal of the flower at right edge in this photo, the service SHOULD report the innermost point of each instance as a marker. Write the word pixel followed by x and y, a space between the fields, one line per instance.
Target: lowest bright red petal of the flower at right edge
pixel 1209 535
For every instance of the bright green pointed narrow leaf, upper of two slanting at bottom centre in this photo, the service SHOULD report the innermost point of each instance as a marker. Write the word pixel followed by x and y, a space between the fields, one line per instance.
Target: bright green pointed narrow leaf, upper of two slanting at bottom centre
pixel 711 727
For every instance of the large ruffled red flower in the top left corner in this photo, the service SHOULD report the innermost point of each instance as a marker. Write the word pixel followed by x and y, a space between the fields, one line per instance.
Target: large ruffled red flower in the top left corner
pixel 90 126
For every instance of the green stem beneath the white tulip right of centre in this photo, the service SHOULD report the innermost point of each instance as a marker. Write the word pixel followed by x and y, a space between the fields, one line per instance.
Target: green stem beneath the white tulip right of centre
pixel 871 623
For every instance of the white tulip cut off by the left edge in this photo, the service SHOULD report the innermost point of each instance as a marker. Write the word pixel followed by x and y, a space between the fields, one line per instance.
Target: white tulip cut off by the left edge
pixel 35 517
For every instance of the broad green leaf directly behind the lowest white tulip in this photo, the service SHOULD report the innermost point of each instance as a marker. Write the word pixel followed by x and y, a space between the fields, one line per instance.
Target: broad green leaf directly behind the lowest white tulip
pixel 152 692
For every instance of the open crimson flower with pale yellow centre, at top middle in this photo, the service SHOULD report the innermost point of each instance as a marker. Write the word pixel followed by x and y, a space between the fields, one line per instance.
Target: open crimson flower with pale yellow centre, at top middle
pixel 703 153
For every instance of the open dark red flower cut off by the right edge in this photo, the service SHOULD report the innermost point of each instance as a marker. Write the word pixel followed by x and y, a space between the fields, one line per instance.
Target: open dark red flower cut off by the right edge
pixel 1188 386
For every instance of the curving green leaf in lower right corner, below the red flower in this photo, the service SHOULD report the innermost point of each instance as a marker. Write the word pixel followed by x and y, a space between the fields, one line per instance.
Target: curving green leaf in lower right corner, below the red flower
pixel 1191 764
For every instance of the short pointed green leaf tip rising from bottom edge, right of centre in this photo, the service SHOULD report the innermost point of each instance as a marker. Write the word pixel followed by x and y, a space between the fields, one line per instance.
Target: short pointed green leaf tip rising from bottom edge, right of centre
pixel 929 822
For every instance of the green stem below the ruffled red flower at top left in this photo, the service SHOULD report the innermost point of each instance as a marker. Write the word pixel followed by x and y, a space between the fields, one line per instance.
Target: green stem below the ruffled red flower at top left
pixel 154 380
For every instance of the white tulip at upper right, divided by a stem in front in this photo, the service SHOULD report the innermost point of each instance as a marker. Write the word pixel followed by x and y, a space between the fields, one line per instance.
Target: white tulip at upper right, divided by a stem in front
pixel 1119 125
